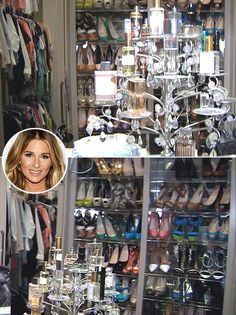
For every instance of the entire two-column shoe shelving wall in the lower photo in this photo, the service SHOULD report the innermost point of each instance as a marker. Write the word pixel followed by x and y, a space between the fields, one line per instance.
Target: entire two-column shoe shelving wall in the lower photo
pixel 181 261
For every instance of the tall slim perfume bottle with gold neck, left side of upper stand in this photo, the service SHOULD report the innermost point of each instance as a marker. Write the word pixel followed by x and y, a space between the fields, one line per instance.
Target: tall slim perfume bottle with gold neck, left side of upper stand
pixel 128 52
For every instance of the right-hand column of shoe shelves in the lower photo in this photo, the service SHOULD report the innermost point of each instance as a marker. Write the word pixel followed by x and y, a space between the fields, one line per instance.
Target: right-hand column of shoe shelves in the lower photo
pixel 187 234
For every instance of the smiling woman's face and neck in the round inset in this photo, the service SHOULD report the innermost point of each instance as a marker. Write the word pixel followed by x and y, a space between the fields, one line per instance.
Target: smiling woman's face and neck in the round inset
pixel 35 165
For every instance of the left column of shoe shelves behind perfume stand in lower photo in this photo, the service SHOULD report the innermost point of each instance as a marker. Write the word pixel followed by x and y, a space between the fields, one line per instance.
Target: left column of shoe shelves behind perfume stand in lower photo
pixel 108 210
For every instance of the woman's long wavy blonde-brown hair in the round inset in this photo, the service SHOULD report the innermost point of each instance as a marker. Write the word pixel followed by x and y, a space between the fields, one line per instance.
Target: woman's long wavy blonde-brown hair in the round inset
pixel 13 168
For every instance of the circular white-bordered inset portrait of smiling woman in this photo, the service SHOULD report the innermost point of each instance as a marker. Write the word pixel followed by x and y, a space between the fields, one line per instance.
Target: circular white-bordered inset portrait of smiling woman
pixel 34 160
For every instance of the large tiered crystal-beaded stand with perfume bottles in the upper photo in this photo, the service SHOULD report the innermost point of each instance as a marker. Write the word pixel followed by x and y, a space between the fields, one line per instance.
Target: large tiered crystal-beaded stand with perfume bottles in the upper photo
pixel 170 60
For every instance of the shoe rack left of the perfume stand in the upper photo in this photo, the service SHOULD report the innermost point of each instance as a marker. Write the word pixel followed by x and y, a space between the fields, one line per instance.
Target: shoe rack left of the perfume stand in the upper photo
pixel 100 37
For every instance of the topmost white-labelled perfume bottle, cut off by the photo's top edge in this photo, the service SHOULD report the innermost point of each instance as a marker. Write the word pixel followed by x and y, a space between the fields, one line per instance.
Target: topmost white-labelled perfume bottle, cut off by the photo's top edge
pixel 156 19
